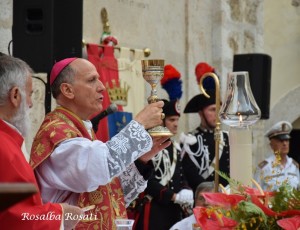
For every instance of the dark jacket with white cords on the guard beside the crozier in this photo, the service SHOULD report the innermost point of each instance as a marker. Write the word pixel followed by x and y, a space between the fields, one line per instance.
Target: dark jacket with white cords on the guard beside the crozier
pixel 199 155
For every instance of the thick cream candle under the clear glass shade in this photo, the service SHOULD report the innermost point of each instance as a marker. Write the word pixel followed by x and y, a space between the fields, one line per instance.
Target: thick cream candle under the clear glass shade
pixel 240 141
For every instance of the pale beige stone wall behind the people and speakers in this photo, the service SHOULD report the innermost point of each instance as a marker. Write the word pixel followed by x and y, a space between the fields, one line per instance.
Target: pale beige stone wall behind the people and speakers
pixel 185 33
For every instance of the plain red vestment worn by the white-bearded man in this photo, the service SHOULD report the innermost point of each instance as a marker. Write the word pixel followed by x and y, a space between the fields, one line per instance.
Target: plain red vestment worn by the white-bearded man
pixel 29 213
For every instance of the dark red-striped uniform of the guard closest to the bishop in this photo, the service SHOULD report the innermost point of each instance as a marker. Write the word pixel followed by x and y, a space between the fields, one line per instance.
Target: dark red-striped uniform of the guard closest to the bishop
pixel 159 211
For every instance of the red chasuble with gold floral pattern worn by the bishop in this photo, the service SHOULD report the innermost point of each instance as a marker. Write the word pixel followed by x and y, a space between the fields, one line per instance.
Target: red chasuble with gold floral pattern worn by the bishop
pixel 61 125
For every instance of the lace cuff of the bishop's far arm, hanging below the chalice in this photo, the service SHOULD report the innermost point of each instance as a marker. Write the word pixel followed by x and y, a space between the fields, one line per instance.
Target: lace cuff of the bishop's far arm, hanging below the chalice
pixel 133 183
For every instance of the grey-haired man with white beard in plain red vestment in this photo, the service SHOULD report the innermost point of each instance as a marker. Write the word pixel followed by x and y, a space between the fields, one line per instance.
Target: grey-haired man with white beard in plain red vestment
pixel 15 101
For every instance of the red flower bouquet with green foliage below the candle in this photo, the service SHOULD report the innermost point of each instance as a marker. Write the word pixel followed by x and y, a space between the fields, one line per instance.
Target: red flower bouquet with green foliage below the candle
pixel 250 208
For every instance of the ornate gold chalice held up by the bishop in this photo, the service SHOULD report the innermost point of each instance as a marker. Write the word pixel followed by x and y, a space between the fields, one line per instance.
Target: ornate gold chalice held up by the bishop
pixel 153 71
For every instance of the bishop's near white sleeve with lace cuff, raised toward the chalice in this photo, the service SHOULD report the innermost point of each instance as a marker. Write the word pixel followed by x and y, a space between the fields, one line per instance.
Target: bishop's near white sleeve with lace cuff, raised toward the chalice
pixel 93 163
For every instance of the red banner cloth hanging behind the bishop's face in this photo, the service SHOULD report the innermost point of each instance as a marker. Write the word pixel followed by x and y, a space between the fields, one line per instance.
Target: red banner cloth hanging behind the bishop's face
pixel 107 67
